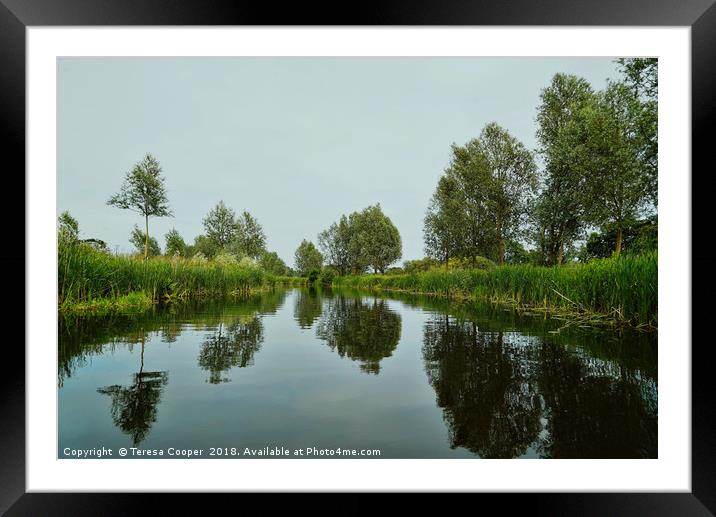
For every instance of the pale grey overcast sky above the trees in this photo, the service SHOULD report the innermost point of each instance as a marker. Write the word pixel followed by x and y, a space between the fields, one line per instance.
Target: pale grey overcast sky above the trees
pixel 295 141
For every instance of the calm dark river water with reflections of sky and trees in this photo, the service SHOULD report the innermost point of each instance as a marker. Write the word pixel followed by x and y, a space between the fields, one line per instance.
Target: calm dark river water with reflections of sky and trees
pixel 413 377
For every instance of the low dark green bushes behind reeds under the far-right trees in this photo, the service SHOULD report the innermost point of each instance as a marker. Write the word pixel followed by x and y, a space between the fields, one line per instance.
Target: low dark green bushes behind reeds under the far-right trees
pixel 638 237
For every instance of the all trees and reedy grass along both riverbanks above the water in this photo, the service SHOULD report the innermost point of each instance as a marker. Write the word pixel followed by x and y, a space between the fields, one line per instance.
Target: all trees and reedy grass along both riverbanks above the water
pixel 577 236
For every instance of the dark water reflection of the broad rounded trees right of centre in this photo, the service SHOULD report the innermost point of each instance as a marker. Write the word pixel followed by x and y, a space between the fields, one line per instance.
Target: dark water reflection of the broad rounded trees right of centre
pixel 489 402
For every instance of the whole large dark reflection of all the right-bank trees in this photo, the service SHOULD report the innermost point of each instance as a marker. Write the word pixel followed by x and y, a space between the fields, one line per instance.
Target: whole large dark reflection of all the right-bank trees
pixel 504 392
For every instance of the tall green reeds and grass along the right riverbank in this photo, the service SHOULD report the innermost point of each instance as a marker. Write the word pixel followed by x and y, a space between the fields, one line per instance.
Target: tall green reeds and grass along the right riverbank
pixel 622 289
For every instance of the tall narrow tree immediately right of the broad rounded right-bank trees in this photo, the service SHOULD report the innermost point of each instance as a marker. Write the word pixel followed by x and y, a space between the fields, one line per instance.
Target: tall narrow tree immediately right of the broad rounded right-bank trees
pixel 559 211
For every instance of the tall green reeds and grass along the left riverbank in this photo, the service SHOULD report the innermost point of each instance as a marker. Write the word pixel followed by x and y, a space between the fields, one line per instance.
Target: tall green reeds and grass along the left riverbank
pixel 90 280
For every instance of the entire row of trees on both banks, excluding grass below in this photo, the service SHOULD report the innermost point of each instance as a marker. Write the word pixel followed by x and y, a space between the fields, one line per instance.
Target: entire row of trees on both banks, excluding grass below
pixel 595 168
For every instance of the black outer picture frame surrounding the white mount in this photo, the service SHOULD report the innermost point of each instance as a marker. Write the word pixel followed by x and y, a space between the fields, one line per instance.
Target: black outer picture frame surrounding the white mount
pixel 700 15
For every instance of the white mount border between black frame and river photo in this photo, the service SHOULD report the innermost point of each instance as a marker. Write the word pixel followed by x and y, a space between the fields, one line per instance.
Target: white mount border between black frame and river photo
pixel 670 472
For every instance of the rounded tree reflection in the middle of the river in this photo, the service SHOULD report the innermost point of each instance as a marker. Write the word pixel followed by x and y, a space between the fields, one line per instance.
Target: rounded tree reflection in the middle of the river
pixel 365 331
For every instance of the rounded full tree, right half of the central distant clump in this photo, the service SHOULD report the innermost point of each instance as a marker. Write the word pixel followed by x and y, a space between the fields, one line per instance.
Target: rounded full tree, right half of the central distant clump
pixel 375 240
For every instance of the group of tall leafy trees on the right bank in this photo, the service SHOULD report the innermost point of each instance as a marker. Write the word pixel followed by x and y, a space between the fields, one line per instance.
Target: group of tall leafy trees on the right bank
pixel 599 156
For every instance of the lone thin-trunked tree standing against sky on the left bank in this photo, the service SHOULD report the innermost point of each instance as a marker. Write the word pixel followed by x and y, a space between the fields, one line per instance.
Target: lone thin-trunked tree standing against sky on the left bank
pixel 143 191
